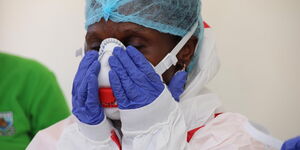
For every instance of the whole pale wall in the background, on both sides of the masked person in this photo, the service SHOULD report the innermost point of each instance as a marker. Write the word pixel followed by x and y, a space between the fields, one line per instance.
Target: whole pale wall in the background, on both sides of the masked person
pixel 258 41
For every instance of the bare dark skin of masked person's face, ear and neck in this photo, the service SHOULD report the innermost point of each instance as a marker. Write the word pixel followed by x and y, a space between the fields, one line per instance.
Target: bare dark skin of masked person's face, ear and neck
pixel 153 44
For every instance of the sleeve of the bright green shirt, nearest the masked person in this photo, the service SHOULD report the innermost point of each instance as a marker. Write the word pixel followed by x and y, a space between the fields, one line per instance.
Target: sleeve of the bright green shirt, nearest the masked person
pixel 46 104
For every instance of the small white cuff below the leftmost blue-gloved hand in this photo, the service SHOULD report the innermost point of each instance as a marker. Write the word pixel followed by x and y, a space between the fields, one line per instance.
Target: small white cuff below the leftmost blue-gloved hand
pixel 99 132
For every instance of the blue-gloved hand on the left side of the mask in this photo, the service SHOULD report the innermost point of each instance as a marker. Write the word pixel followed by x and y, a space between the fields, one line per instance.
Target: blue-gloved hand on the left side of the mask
pixel 85 98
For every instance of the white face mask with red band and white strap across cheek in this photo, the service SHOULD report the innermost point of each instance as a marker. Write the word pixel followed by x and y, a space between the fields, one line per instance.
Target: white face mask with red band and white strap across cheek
pixel 107 46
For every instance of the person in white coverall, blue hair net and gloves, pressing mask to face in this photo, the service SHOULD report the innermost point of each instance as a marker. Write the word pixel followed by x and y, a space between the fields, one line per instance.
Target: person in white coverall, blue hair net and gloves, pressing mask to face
pixel 165 55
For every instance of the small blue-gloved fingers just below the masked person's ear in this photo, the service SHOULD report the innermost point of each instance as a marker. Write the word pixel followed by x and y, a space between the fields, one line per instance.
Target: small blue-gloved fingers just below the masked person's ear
pixel 176 85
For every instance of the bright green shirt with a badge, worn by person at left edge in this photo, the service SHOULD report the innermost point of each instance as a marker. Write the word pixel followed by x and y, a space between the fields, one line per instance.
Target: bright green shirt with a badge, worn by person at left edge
pixel 30 100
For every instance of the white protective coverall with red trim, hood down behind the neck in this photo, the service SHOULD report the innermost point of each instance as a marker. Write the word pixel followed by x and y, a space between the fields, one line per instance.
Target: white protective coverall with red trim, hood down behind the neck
pixel 195 123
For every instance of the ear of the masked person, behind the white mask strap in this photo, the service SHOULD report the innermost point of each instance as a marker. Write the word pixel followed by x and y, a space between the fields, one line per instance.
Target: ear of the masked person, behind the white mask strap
pixel 187 52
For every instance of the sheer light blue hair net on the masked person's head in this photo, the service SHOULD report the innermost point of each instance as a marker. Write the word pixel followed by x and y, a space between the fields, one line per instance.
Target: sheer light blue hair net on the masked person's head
pixel 175 17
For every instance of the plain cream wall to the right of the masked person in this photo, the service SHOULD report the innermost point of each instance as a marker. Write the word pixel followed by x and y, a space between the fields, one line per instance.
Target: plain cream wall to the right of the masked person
pixel 259 46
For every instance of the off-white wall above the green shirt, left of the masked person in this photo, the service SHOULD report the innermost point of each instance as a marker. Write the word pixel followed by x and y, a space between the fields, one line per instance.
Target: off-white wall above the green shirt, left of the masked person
pixel 47 30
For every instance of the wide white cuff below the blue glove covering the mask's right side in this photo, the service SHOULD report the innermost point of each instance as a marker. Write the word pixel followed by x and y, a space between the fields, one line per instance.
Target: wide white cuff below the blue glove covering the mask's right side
pixel 154 113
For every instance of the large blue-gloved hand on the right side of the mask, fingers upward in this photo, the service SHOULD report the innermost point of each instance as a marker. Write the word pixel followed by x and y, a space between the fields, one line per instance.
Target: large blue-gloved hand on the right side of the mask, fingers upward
pixel 133 79
